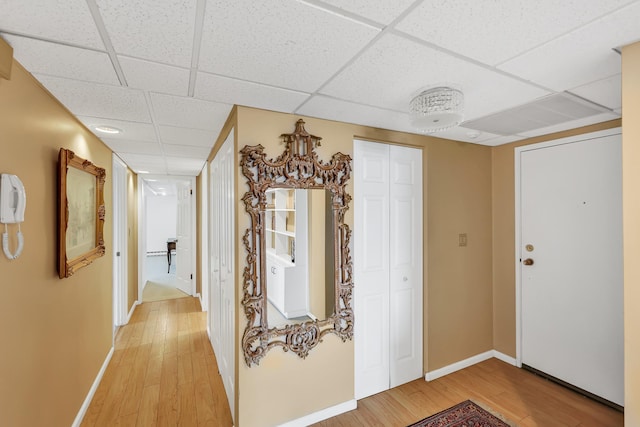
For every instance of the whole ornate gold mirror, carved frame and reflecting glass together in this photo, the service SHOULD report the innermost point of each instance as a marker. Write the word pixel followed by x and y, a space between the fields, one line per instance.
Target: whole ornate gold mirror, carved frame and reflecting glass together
pixel 298 279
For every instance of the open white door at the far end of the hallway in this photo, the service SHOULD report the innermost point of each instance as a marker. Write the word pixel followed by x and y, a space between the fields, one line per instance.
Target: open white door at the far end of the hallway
pixel 184 272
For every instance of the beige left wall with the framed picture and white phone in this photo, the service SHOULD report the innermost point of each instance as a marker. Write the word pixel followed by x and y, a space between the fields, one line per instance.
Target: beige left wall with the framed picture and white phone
pixel 55 333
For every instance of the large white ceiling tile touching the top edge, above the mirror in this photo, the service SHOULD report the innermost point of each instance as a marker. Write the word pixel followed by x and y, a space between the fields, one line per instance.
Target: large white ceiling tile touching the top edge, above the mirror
pixel 284 44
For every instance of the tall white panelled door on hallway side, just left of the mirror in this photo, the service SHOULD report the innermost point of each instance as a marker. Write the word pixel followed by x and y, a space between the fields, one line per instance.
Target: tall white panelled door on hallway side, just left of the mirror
pixel 221 249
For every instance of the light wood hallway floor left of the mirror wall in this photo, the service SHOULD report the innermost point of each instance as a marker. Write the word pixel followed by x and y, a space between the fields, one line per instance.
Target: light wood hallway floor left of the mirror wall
pixel 163 372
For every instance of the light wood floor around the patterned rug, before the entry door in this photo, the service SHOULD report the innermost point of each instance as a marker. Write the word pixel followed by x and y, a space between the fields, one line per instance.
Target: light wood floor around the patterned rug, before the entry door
pixel 518 395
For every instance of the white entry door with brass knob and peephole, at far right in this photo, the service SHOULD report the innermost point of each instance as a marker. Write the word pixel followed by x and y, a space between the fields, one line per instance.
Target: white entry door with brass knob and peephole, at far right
pixel 571 296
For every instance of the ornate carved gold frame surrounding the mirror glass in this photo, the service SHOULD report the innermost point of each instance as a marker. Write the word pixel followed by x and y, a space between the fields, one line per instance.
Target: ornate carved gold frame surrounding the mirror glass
pixel 297 167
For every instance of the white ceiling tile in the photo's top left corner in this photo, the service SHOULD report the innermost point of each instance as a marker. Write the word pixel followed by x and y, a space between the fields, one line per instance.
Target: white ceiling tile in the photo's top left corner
pixel 66 21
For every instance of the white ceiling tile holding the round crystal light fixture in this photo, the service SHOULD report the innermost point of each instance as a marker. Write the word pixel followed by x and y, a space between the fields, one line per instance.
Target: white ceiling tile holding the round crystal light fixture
pixel 395 69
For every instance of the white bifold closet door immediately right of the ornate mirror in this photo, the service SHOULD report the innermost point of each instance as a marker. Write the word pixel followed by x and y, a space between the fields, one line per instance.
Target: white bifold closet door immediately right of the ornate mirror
pixel 388 273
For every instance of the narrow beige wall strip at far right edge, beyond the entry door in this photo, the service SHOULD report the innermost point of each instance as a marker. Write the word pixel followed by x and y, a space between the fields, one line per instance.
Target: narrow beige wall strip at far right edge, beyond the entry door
pixel 631 226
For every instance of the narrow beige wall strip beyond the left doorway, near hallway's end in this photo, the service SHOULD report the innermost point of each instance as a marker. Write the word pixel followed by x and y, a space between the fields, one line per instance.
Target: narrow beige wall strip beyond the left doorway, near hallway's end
pixel 132 238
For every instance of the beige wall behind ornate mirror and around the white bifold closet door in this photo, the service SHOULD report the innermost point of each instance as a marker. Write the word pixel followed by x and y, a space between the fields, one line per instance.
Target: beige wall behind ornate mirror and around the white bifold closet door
pixel 458 305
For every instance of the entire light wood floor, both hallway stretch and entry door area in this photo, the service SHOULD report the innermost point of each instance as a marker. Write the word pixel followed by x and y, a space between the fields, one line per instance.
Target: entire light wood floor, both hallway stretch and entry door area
pixel 164 372
